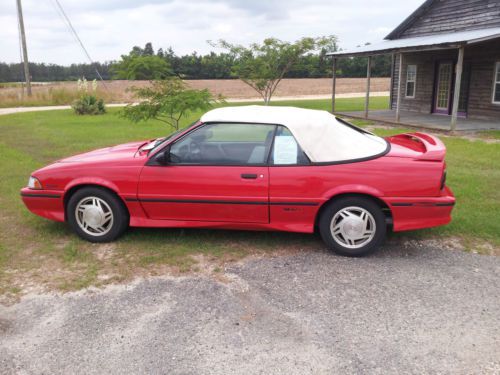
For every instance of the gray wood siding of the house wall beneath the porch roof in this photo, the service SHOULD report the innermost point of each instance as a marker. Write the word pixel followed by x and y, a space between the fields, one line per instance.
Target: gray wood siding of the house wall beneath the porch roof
pixel 482 59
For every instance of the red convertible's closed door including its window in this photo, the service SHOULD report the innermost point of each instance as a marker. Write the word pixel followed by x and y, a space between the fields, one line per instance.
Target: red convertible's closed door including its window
pixel 217 172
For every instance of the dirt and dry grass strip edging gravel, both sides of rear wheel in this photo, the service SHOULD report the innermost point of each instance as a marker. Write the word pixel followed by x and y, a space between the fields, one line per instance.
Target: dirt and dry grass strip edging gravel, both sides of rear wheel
pixel 102 265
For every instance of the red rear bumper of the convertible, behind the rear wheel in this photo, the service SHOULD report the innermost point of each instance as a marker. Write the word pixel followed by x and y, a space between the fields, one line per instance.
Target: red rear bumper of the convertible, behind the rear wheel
pixel 421 212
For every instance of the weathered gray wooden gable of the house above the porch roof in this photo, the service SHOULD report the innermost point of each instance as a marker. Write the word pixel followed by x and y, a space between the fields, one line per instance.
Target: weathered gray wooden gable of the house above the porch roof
pixel 445 16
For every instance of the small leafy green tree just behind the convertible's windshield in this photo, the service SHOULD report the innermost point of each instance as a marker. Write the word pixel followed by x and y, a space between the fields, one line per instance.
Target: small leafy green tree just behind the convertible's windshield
pixel 168 100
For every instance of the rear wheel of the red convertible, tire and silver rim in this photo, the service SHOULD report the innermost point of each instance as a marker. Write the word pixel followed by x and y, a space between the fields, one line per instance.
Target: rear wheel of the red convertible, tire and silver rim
pixel 353 226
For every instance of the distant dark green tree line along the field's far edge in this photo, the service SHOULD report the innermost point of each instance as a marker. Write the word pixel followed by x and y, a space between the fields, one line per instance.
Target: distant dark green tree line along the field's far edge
pixel 194 66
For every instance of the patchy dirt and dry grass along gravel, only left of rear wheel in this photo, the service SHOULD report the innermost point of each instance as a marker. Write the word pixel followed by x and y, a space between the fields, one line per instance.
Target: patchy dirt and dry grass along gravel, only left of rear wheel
pixel 68 264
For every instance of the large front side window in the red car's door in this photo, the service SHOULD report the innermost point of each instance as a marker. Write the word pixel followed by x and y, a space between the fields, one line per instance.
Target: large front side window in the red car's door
pixel 224 144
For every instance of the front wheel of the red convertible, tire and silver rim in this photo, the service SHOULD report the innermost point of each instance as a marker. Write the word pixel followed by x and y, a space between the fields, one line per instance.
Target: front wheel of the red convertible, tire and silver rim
pixel 96 215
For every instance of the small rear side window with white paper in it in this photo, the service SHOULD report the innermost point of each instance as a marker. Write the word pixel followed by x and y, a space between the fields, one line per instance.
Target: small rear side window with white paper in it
pixel 286 150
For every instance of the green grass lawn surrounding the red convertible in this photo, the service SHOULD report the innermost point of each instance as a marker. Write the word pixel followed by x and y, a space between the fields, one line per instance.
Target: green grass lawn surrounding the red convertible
pixel 35 251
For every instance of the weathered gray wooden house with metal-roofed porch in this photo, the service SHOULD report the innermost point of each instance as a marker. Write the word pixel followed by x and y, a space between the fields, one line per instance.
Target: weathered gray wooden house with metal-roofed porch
pixel 446 66
